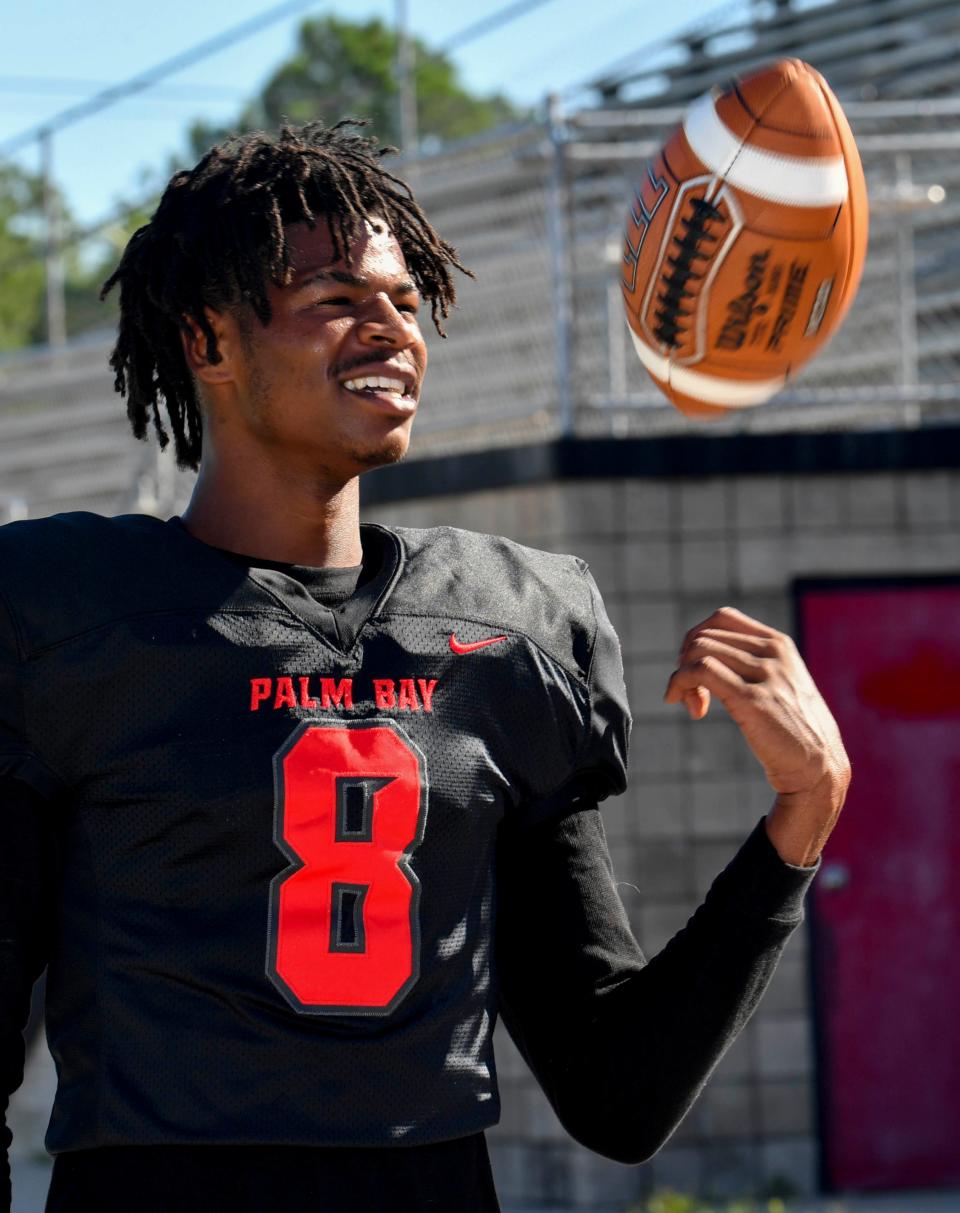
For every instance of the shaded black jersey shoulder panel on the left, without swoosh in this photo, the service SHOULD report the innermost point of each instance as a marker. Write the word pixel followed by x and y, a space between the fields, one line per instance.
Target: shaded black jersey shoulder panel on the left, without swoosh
pixel 71 573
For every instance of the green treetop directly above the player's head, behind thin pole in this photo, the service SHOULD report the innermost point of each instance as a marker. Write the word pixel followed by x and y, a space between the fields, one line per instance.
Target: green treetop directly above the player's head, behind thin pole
pixel 348 70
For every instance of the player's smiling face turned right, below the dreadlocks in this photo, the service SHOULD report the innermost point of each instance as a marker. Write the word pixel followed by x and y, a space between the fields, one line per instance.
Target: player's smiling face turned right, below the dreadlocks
pixel 332 384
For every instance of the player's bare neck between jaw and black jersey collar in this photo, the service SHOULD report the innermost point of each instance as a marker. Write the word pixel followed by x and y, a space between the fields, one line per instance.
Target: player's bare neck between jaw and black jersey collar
pixel 280 515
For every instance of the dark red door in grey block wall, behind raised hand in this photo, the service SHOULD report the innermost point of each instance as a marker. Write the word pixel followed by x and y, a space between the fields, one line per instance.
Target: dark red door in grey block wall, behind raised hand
pixel 887 904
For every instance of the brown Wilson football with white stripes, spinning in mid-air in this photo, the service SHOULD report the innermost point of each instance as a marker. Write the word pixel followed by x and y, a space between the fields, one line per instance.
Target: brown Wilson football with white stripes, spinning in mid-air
pixel 746 241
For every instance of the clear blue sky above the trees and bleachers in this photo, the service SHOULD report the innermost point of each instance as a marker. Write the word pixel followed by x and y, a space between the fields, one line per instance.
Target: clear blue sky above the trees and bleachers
pixel 117 156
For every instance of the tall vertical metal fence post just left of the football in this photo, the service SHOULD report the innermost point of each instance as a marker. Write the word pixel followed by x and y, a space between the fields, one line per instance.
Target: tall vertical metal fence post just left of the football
pixel 560 265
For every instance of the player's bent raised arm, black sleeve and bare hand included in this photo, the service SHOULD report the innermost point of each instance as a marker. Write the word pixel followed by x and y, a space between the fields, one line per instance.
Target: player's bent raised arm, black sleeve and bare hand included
pixel 623 1047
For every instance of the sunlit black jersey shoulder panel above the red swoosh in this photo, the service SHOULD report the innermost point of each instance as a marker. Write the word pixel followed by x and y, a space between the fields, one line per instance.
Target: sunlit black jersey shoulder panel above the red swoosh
pixel 468 577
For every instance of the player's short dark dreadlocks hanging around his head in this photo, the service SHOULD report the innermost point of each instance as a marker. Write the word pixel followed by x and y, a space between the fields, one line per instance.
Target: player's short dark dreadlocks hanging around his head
pixel 218 240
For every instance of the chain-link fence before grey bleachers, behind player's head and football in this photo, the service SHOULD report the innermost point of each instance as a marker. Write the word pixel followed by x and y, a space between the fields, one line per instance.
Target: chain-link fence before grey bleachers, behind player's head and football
pixel 538 346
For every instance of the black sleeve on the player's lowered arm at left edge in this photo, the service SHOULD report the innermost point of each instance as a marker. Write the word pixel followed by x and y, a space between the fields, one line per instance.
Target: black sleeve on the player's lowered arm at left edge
pixel 29 876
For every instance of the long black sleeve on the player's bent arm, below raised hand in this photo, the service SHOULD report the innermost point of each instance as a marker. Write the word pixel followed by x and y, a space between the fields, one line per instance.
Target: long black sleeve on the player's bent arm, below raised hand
pixel 622 1046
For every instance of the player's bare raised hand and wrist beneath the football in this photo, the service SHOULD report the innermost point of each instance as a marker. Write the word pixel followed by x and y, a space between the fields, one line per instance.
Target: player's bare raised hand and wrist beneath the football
pixel 760 679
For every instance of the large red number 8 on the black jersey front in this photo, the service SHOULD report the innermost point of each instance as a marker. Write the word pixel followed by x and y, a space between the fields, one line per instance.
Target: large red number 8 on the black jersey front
pixel 351 808
